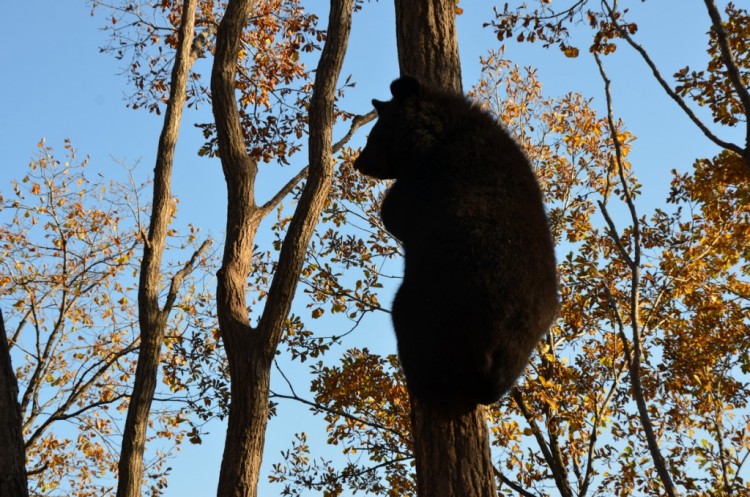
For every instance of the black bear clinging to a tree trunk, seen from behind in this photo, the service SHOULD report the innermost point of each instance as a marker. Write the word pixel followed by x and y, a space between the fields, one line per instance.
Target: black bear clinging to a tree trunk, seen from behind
pixel 480 284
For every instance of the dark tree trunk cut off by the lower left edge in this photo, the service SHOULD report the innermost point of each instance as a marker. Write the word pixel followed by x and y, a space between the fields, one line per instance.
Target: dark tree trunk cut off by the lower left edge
pixel 12 453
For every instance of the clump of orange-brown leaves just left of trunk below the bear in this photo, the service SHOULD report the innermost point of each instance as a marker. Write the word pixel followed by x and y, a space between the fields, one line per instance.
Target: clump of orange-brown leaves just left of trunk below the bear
pixel 366 411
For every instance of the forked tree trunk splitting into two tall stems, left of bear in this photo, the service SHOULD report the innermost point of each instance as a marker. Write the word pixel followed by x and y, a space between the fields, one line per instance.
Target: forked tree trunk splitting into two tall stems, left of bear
pixel 250 351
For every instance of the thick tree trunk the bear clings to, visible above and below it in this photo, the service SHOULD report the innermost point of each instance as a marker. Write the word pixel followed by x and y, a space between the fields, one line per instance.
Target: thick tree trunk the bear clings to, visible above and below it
pixel 451 446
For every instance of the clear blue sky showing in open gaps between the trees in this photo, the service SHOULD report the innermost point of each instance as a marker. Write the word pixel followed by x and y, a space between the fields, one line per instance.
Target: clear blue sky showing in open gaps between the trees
pixel 55 84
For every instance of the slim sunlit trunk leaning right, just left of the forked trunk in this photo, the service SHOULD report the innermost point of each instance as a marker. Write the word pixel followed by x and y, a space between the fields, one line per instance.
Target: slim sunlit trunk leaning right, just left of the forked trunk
pixel 151 317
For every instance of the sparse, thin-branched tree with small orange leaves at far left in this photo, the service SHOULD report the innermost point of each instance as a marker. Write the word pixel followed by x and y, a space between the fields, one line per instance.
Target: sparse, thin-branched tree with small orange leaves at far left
pixel 58 266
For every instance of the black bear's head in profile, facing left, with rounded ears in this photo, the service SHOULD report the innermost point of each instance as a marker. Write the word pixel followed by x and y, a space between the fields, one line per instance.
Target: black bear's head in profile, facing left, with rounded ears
pixel 395 138
